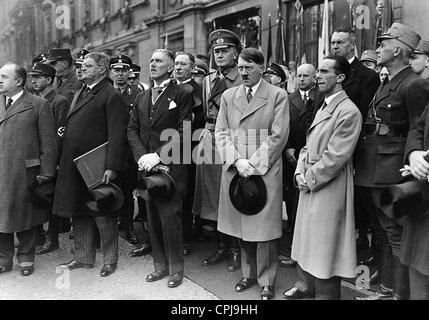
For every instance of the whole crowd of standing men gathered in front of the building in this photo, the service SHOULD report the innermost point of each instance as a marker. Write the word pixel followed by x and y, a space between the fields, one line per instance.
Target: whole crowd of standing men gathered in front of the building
pixel 329 141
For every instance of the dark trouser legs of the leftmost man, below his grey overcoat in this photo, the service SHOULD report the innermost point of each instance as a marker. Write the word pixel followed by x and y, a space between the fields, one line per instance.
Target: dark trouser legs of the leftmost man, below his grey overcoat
pixel 26 250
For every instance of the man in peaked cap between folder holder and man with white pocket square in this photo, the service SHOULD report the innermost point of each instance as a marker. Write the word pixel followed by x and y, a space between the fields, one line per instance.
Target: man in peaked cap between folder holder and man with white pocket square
pixel 119 72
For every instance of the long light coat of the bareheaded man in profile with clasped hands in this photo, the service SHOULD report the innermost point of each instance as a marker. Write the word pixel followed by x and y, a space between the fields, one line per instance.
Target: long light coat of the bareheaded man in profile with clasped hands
pixel 324 239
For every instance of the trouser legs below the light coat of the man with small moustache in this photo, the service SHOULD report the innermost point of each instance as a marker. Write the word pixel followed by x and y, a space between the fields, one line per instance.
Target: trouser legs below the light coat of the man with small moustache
pixel 259 261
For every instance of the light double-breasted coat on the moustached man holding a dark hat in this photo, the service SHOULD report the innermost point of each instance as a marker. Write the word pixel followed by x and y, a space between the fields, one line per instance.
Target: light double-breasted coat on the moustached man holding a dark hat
pixel 259 133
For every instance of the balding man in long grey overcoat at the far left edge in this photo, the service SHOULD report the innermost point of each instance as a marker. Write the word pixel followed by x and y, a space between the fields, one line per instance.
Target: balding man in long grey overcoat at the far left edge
pixel 28 160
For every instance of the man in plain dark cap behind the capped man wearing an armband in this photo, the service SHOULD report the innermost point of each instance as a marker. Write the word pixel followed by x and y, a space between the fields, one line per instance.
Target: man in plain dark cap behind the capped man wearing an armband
pixel 66 81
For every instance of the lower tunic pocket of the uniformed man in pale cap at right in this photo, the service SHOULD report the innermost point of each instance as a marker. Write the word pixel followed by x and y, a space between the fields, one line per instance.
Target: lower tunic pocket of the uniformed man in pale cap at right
pixel 390 158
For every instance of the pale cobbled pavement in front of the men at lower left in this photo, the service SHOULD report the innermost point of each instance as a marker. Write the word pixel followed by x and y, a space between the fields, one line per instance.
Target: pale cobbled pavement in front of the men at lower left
pixel 127 283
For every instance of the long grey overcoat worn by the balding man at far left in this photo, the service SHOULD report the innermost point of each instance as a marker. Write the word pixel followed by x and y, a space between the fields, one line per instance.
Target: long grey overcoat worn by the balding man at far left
pixel 27 149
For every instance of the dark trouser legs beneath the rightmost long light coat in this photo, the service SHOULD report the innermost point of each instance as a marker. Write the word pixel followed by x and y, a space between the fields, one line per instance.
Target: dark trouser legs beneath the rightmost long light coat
pixel 323 289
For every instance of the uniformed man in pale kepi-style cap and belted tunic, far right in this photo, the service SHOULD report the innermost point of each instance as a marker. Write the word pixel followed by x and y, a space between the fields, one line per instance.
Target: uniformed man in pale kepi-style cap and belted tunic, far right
pixel 397 104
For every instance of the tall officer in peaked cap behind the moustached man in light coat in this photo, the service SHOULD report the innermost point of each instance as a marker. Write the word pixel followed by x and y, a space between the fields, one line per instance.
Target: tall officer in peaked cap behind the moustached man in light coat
pixel 226 46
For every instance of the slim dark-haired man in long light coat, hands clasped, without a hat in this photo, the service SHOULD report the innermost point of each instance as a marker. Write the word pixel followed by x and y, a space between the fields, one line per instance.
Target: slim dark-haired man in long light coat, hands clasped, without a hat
pixel 324 242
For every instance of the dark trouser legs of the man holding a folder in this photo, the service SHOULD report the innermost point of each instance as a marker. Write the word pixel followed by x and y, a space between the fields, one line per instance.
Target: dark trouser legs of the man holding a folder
pixel 85 238
